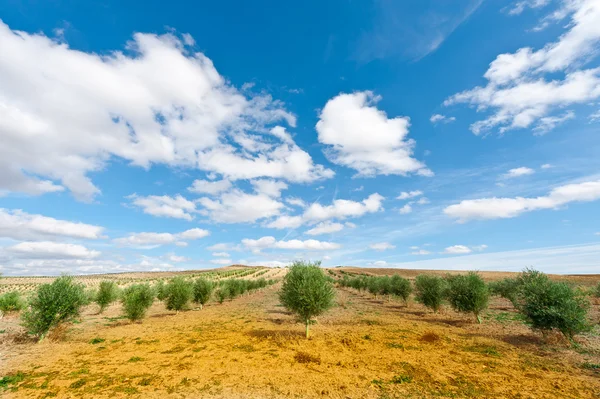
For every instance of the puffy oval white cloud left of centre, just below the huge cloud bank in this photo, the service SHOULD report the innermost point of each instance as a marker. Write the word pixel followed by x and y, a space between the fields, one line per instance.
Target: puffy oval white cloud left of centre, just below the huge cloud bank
pixel 237 206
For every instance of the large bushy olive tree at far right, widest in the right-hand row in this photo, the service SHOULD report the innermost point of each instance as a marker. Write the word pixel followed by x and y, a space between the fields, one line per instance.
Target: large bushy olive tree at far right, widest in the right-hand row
pixel 548 305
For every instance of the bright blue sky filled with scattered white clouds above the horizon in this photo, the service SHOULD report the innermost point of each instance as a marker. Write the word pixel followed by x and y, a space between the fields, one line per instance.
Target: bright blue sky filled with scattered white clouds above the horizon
pixel 417 134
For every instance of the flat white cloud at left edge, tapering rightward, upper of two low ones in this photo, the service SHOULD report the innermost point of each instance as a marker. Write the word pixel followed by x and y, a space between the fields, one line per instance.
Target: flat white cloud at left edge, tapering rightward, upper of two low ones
pixel 20 225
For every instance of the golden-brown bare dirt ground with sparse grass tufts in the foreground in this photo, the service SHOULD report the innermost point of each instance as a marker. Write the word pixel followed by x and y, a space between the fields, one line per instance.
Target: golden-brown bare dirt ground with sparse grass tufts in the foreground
pixel 252 348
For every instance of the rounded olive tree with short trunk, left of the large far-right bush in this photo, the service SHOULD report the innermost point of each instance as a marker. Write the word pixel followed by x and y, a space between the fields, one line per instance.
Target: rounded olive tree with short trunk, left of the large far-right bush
pixel 468 293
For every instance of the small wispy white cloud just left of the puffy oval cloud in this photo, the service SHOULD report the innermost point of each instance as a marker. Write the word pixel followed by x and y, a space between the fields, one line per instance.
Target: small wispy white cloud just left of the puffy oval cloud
pixel 165 206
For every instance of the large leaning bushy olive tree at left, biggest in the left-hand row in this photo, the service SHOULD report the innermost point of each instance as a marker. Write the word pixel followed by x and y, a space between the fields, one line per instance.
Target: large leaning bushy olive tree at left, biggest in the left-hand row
pixel 53 304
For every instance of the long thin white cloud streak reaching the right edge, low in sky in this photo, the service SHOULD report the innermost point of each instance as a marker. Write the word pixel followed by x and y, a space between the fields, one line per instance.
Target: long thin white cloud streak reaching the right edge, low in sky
pixel 497 208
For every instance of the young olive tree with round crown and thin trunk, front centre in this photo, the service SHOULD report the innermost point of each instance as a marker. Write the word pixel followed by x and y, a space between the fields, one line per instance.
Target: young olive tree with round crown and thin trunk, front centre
pixel 306 291
